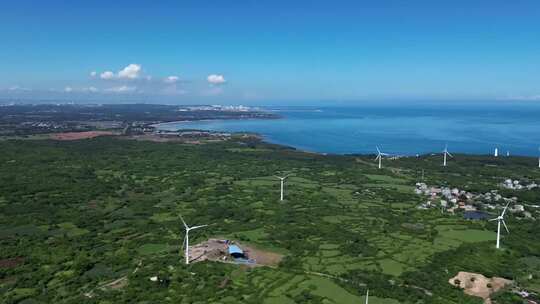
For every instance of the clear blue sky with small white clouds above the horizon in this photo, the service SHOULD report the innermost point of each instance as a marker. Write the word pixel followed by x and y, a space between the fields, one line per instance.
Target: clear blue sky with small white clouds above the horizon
pixel 270 51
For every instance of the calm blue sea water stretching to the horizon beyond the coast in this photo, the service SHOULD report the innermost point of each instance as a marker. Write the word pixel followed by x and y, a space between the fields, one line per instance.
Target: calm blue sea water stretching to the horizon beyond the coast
pixel 397 129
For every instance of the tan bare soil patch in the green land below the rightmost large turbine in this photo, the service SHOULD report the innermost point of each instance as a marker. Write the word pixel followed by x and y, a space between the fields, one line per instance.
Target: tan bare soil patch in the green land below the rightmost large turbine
pixel 478 285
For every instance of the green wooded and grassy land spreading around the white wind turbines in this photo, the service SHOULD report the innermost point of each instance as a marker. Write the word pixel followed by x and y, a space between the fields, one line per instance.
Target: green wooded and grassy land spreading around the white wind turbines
pixel 93 220
